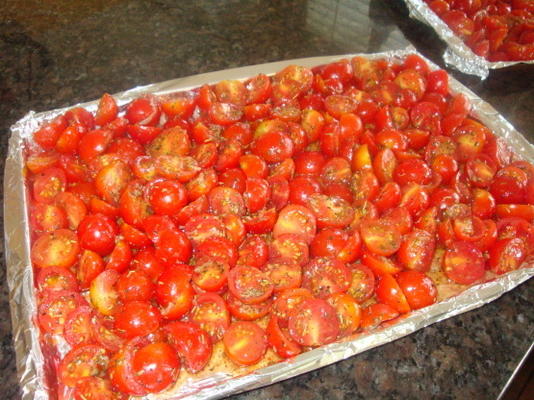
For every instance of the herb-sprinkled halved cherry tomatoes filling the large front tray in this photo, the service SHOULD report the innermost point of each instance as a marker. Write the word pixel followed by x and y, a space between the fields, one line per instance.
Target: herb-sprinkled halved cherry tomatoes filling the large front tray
pixel 282 212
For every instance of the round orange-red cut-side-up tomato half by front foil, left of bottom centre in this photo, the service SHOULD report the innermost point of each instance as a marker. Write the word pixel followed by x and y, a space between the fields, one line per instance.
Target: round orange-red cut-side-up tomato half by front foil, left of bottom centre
pixel 254 337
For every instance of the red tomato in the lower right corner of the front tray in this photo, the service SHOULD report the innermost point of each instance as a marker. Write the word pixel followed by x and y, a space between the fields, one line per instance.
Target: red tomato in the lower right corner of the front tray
pixel 507 255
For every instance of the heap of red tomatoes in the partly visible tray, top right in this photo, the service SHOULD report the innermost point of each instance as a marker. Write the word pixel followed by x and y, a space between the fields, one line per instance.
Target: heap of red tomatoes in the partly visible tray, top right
pixel 498 30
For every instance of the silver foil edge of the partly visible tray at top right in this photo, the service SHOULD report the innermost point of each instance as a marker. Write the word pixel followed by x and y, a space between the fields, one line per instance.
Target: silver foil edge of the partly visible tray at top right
pixel 457 54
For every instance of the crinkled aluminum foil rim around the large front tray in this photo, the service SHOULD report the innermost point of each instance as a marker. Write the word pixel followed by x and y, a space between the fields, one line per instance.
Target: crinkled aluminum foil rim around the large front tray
pixel 31 365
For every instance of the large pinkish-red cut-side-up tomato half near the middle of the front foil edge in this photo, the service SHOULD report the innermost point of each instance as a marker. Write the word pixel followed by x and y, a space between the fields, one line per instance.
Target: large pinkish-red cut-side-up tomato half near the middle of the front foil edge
pixel 314 323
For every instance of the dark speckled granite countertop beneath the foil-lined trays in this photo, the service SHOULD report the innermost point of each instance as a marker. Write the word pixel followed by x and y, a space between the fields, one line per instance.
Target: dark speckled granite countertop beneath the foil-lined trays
pixel 57 53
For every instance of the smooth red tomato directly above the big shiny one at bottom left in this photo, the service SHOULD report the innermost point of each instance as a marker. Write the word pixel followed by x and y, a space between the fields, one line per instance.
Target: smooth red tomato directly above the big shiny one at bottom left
pixel 137 318
